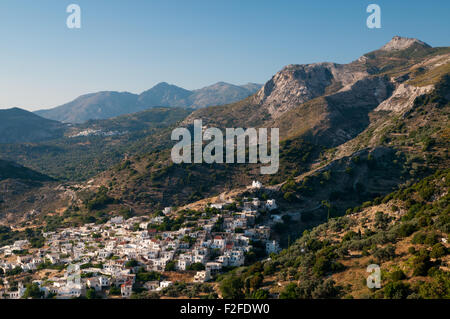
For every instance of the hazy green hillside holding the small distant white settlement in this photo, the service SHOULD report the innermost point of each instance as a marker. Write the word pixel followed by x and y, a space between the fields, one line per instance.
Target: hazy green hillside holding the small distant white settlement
pixel 89 148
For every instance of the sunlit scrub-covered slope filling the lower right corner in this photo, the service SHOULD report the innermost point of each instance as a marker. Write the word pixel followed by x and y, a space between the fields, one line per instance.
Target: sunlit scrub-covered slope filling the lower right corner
pixel 405 233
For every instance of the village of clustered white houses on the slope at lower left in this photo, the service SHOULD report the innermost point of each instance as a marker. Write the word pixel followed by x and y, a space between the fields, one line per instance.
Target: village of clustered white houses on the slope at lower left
pixel 106 259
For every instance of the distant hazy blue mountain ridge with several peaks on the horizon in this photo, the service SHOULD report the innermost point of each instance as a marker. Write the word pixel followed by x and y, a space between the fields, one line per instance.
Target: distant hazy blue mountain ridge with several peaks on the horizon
pixel 103 105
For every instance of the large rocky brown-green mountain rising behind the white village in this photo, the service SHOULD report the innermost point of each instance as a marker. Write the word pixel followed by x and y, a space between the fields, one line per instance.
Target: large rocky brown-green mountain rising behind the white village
pixel 330 115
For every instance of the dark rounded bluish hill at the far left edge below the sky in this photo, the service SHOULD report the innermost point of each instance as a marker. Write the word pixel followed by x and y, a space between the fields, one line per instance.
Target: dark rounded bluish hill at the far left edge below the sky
pixel 18 126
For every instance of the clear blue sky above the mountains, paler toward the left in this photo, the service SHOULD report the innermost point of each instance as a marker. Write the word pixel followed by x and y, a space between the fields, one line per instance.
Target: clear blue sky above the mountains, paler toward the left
pixel 133 45
